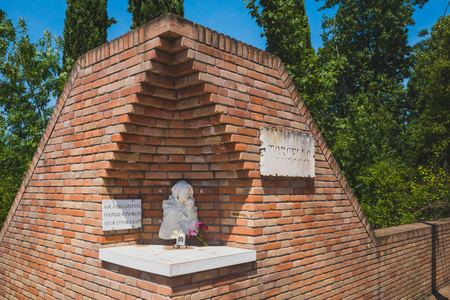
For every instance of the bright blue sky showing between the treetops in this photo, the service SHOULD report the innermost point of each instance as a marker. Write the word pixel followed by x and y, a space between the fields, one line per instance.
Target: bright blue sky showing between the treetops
pixel 226 16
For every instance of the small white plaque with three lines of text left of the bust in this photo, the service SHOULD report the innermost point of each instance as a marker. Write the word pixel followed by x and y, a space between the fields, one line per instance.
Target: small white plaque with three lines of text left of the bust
pixel 121 214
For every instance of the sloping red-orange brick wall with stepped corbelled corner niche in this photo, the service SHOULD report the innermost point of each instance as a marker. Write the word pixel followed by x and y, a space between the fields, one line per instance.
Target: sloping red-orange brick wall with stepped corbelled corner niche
pixel 173 101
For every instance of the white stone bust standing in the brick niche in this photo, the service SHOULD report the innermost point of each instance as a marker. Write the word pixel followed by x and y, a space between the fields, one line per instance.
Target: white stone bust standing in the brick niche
pixel 179 211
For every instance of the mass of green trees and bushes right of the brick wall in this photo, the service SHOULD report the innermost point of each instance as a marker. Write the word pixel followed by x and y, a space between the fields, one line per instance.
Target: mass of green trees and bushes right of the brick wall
pixel 391 143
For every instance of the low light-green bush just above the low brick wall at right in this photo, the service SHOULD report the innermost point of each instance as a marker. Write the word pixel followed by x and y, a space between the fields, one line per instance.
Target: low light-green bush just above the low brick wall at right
pixel 396 194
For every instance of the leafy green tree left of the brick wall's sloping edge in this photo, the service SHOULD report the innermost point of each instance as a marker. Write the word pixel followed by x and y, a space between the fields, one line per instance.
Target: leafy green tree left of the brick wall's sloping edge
pixel 29 77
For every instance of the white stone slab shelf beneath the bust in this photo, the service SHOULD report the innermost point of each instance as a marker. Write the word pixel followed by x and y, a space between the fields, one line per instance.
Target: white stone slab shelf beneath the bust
pixel 170 262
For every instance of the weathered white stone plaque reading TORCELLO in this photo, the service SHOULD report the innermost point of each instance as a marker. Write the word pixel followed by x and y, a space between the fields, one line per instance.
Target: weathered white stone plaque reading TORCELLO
pixel 286 153
